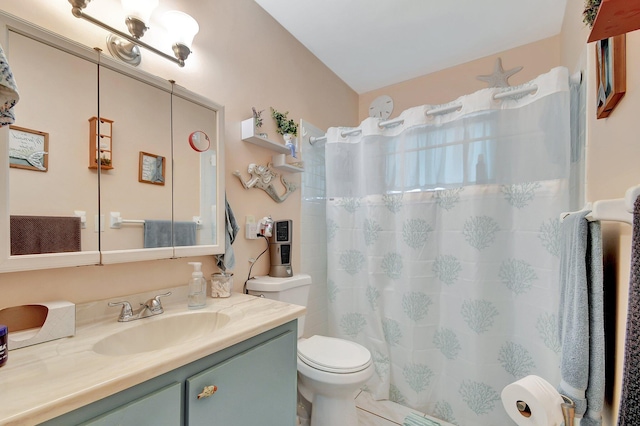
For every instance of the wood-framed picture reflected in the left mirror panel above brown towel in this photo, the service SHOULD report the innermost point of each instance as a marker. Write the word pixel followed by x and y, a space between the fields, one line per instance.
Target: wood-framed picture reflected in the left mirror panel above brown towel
pixel 28 149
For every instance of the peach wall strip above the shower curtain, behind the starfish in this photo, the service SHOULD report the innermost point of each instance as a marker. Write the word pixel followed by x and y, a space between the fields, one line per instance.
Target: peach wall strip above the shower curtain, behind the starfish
pixel 446 85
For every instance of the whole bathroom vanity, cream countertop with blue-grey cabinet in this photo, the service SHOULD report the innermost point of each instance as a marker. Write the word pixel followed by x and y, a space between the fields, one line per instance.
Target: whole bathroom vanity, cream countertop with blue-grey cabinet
pixel 250 356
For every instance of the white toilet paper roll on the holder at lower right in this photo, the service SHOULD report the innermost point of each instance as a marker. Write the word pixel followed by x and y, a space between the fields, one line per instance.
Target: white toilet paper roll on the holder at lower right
pixel 532 401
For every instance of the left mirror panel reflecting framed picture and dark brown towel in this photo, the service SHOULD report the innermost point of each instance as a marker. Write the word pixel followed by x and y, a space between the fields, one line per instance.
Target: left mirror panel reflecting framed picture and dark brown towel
pixel 48 180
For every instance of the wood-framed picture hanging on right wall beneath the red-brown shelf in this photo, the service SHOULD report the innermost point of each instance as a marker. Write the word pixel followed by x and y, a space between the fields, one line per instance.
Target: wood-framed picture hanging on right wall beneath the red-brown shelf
pixel 611 73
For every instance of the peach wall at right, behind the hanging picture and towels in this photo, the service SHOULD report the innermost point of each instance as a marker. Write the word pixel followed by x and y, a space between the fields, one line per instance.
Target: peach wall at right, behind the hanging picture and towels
pixel 613 148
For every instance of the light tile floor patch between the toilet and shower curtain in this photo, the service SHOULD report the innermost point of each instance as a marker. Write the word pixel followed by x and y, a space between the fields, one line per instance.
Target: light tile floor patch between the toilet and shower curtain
pixel 383 413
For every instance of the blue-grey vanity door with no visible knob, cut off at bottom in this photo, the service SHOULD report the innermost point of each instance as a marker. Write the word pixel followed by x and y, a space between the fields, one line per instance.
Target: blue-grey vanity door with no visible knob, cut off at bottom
pixel 163 406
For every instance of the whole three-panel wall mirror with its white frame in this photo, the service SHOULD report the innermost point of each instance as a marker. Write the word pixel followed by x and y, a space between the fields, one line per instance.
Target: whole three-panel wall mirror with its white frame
pixel 104 164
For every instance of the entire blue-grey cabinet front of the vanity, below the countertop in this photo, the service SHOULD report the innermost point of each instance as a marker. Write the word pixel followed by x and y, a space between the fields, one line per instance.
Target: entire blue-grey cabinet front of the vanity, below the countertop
pixel 256 380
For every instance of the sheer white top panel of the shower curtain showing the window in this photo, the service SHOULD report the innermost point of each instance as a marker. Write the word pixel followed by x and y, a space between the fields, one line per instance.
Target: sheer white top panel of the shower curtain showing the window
pixel 484 140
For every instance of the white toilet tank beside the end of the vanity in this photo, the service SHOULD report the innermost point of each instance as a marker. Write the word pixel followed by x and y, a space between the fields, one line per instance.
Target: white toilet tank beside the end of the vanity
pixel 293 290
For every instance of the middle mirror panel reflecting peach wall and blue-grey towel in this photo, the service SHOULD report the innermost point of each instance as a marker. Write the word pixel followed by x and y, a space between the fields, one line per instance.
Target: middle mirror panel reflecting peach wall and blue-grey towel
pixel 140 121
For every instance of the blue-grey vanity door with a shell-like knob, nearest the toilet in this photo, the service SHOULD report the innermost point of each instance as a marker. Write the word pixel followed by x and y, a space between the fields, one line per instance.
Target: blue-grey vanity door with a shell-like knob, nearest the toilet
pixel 255 387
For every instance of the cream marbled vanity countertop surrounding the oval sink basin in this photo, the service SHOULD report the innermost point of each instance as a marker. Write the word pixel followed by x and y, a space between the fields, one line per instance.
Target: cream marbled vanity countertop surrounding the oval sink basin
pixel 43 381
